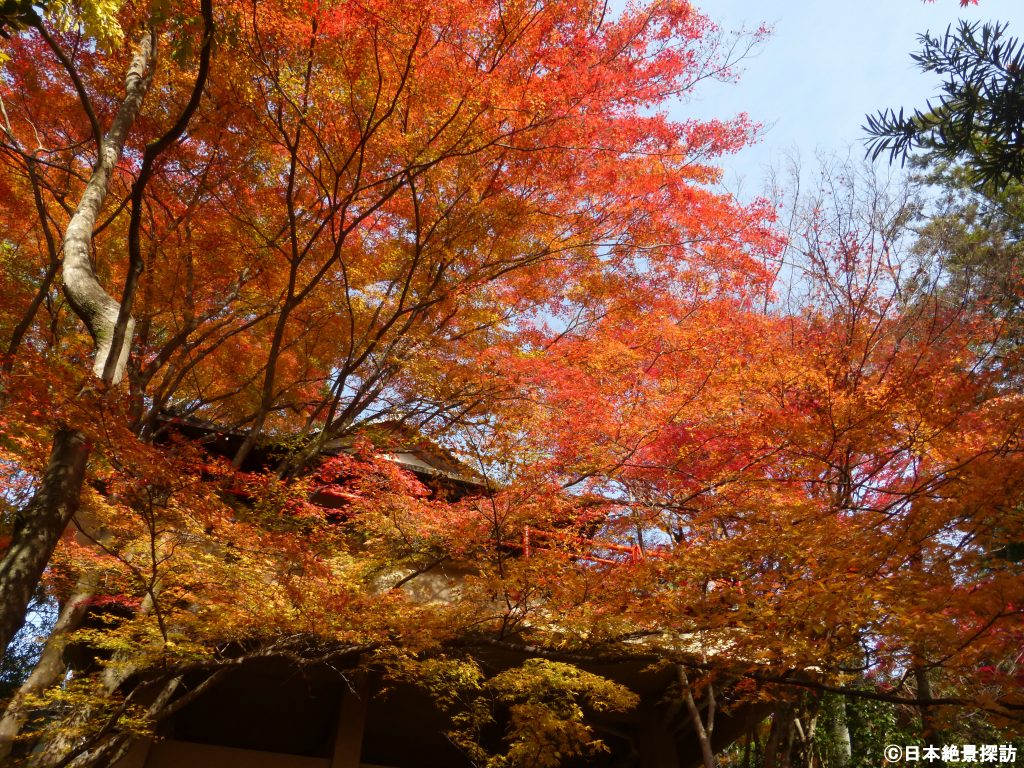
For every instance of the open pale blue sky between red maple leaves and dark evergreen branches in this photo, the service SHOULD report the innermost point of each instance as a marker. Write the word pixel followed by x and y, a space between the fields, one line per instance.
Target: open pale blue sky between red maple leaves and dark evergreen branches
pixel 828 64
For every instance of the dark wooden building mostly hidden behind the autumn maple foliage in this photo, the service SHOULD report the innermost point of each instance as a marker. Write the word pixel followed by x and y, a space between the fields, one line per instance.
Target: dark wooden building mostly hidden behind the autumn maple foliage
pixel 271 712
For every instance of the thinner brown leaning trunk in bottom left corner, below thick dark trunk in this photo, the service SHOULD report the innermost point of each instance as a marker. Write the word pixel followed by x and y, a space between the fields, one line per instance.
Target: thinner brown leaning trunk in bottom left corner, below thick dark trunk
pixel 51 667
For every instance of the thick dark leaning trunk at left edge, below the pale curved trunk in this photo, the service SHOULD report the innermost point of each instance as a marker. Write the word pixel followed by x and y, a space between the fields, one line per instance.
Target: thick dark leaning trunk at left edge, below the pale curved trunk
pixel 39 528
